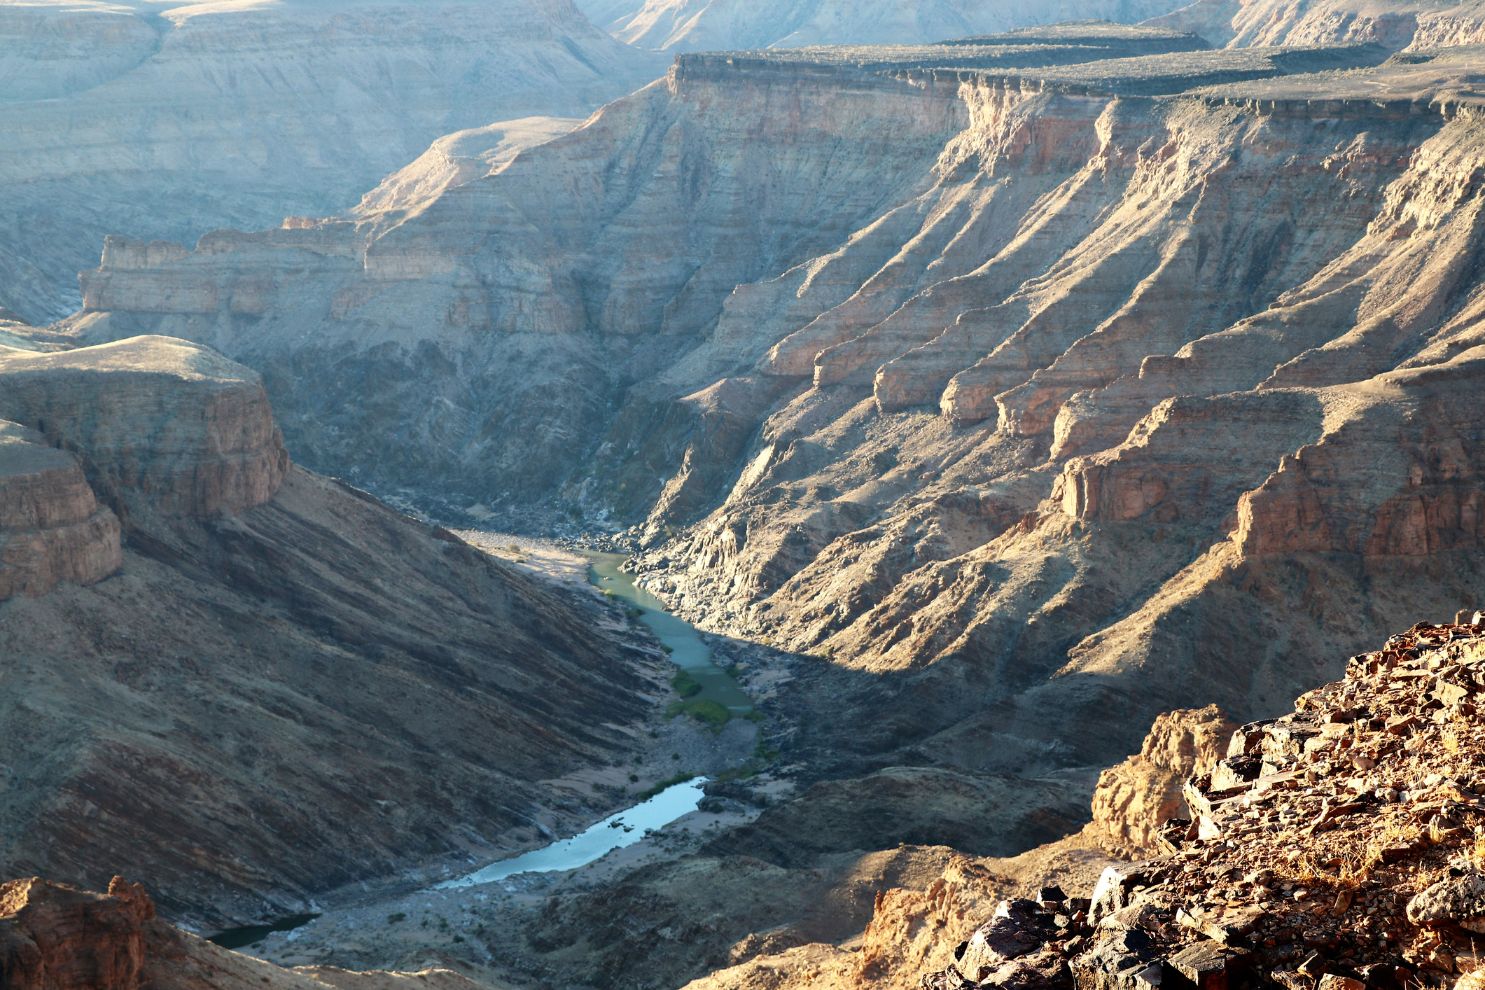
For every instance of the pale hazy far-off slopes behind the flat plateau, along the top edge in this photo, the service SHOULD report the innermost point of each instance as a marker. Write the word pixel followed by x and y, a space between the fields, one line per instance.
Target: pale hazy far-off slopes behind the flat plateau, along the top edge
pixel 693 26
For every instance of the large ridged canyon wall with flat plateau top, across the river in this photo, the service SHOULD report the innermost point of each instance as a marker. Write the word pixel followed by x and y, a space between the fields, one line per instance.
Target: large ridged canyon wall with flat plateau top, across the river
pixel 1024 378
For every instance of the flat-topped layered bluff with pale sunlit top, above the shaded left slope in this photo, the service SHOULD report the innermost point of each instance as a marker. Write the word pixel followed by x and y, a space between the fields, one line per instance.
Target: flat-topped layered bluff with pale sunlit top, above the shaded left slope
pixel 161 425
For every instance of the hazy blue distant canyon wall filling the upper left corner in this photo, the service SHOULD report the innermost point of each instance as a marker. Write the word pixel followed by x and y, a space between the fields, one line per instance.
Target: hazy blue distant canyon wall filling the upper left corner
pixel 172 119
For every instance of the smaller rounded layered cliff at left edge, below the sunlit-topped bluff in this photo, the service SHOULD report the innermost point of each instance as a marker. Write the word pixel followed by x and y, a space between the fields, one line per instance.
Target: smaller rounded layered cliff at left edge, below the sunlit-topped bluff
pixel 53 529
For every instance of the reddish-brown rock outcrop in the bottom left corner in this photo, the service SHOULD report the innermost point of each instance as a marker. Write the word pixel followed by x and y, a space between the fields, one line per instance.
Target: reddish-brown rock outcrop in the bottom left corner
pixel 54 937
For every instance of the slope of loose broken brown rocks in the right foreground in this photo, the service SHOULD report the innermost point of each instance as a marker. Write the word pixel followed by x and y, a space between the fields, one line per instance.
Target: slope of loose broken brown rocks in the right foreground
pixel 1339 848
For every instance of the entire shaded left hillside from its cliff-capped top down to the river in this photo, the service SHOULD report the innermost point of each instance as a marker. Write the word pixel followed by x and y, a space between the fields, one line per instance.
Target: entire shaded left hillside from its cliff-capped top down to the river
pixel 255 685
